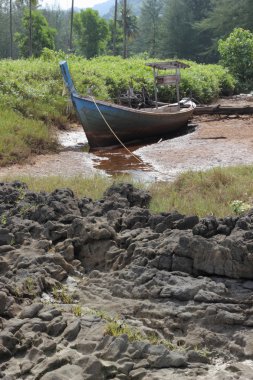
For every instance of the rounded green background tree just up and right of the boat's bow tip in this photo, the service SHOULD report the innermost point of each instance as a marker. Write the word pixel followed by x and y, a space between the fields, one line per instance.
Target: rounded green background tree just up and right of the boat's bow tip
pixel 92 33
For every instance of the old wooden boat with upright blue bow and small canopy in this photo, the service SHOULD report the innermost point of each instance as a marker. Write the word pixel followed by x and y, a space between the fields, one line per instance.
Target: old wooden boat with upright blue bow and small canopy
pixel 106 124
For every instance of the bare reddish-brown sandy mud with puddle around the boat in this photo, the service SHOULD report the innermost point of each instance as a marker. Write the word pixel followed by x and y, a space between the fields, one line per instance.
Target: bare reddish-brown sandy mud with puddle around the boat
pixel 216 141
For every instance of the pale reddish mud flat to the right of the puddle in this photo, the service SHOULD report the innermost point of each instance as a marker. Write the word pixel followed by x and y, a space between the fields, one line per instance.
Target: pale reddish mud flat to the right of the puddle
pixel 217 141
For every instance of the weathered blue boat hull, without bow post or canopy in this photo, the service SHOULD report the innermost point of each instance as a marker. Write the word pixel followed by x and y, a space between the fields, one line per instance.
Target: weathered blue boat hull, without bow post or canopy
pixel 128 124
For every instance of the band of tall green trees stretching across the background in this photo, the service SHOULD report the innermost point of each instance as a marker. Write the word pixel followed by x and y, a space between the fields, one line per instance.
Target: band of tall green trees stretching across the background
pixel 187 29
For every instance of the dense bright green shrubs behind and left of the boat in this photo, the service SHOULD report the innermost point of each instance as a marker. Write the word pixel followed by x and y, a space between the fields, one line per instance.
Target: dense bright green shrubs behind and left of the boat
pixel 26 83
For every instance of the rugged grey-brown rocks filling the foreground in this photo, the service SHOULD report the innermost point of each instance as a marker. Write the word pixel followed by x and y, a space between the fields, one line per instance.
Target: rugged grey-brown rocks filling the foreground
pixel 106 290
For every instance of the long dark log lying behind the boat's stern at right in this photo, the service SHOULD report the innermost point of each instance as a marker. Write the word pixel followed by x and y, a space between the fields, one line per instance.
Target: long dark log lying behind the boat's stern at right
pixel 223 110
